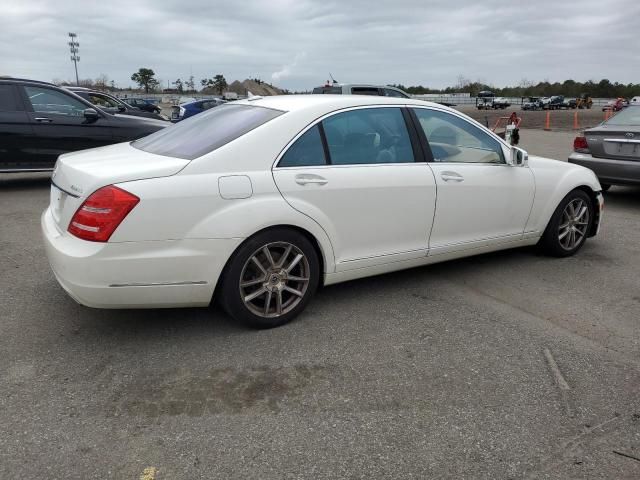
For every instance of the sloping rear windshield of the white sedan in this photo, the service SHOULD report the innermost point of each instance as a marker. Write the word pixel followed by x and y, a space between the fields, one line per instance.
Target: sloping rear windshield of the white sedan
pixel 207 131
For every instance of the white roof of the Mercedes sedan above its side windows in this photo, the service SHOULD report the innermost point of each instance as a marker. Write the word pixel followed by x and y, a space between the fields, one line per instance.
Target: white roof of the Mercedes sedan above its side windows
pixel 330 102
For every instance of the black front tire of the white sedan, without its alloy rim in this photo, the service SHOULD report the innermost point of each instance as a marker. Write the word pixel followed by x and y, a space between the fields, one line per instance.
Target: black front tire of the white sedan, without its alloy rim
pixel 550 242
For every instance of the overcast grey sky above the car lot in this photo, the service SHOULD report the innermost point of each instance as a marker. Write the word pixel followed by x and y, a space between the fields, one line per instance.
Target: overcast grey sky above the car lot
pixel 296 43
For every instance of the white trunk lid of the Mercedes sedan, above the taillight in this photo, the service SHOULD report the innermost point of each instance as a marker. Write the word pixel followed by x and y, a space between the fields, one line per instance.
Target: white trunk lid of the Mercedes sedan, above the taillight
pixel 78 174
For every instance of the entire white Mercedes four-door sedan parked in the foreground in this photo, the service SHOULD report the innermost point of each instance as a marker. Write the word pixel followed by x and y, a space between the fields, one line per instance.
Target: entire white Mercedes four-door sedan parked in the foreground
pixel 257 203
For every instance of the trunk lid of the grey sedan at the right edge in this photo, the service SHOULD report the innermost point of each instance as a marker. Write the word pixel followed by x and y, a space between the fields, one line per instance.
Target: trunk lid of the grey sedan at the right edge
pixel 616 142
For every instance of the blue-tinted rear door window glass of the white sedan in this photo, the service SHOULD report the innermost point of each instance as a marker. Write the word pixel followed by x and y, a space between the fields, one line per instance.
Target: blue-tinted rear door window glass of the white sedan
pixel 368 136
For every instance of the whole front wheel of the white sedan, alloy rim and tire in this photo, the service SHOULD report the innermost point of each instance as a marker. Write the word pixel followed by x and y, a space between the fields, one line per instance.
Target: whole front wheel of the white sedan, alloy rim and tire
pixel 569 226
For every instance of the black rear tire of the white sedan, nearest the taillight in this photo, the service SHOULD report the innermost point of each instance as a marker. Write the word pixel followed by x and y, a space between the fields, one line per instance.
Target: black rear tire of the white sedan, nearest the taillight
pixel 232 298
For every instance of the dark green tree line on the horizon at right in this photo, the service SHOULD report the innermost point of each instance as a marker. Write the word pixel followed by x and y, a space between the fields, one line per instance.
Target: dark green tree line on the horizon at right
pixel 569 88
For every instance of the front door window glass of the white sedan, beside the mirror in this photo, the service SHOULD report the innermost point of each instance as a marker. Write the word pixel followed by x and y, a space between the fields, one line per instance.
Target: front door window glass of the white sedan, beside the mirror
pixel 453 139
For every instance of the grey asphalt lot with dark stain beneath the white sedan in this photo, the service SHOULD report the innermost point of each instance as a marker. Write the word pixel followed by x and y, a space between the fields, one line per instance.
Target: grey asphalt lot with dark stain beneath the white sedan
pixel 509 365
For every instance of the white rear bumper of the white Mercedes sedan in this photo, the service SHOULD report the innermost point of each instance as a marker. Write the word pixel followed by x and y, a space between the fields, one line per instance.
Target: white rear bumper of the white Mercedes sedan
pixel 151 274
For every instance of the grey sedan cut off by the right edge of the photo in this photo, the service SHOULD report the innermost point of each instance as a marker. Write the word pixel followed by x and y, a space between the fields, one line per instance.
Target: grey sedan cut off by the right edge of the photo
pixel 612 149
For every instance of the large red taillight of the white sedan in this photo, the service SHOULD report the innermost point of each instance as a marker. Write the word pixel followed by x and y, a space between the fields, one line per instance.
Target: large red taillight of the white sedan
pixel 101 213
